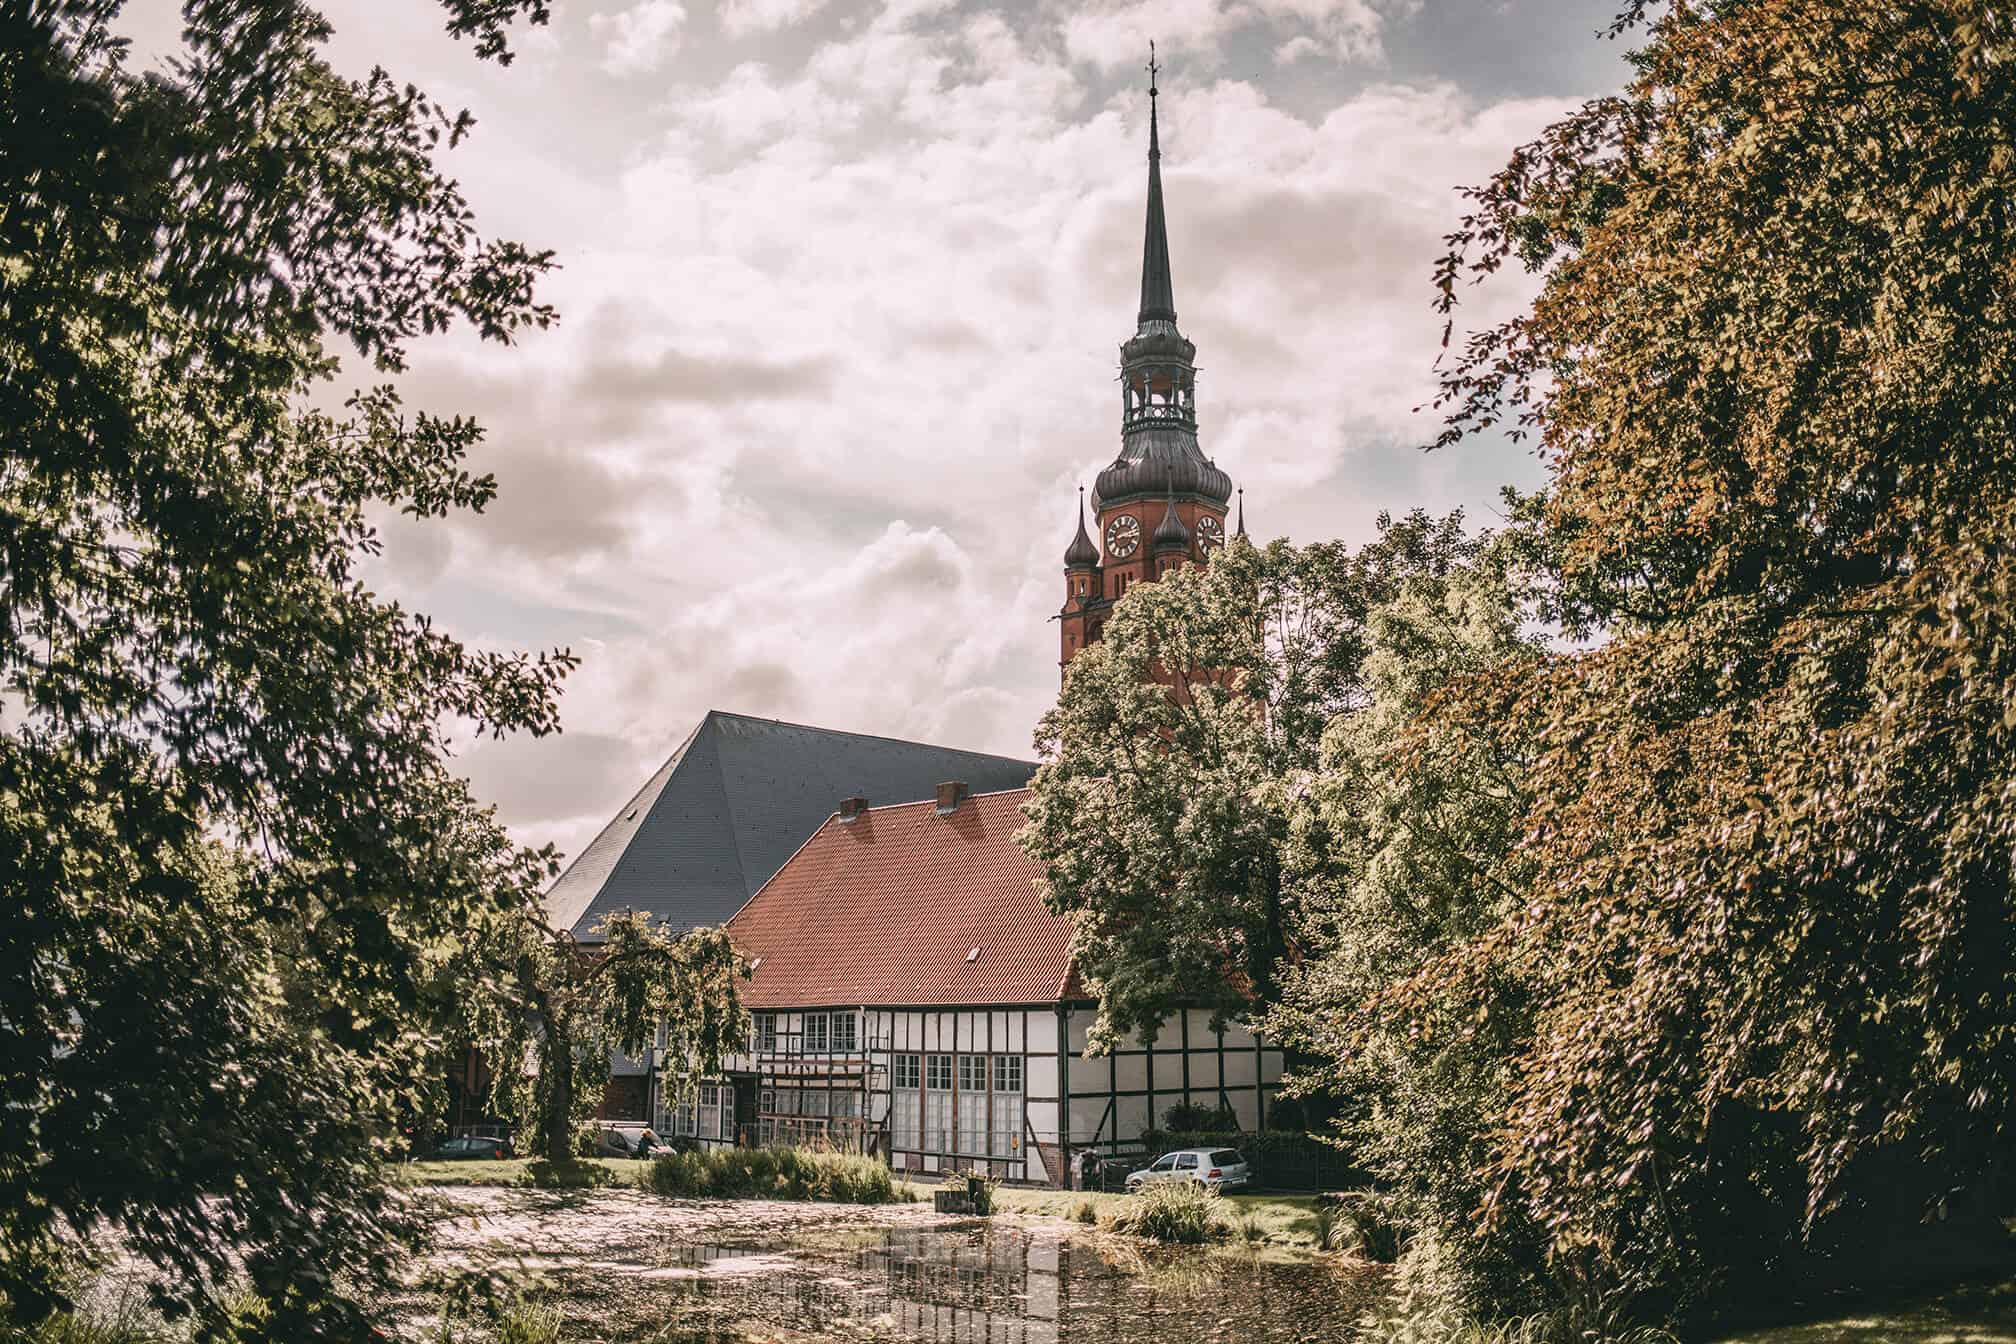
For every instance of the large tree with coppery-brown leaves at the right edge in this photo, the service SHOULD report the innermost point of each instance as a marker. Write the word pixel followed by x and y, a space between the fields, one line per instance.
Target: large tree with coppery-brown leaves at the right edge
pixel 1769 914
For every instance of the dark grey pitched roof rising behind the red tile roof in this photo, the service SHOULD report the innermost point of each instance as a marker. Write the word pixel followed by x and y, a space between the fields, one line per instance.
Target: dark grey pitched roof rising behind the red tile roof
pixel 739 797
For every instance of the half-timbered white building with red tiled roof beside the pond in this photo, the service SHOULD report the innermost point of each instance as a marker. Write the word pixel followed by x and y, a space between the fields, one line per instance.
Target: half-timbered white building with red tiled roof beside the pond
pixel 914 998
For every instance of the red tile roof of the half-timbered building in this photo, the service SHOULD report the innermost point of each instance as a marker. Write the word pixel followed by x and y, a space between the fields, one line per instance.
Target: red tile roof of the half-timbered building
pixel 886 910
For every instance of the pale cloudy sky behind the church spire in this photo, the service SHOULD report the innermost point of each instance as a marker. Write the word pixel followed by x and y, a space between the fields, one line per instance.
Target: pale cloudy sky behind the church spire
pixel 842 291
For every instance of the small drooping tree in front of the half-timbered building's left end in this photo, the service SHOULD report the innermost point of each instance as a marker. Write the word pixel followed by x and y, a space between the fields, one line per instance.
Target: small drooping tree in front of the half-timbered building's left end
pixel 559 1009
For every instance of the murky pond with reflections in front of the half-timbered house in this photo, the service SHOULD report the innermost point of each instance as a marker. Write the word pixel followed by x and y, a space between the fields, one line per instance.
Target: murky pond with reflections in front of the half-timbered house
pixel 648 1270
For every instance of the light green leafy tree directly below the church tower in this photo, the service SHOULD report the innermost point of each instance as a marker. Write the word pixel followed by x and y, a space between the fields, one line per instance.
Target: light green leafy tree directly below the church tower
pixel 1166 791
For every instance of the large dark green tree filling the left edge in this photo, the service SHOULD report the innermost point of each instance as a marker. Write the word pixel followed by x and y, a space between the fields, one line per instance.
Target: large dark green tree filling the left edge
pixel 235 865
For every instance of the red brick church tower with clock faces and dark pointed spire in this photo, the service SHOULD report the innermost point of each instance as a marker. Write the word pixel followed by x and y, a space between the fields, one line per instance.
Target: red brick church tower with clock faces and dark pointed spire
pixel 1162 503
